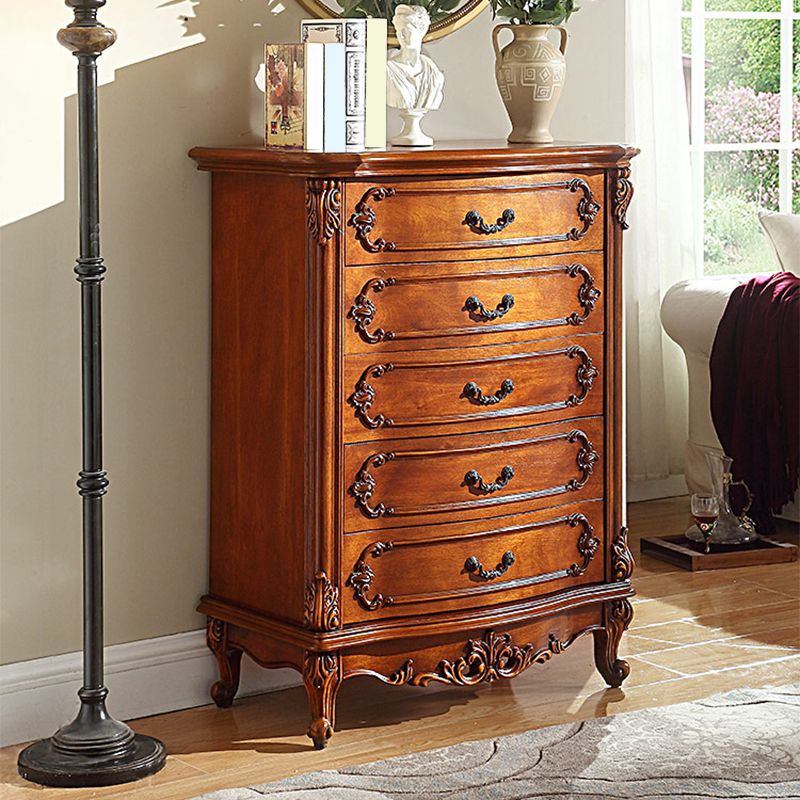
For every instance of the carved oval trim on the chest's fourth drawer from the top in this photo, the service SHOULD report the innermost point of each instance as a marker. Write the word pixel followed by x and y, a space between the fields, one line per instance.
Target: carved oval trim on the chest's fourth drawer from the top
pixel 365 483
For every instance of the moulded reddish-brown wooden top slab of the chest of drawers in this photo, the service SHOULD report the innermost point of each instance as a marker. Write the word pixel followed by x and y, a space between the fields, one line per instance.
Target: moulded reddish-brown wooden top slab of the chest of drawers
pixel 457 157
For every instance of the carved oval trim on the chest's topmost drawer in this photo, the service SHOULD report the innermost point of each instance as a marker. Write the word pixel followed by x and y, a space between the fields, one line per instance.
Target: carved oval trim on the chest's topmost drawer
pixel 364 217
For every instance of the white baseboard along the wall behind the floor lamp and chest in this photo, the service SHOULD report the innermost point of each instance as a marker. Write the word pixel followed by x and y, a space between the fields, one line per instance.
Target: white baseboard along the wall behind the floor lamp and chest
pixel 151 676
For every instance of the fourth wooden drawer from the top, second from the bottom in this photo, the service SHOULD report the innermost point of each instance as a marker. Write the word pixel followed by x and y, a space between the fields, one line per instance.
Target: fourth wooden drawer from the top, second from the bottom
pixel 446 478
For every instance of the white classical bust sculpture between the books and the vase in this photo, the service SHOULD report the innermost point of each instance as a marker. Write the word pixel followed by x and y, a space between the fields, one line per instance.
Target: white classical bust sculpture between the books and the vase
pixel 413 82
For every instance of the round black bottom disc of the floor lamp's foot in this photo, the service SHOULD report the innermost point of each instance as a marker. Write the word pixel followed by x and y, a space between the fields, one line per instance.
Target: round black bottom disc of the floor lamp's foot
pixel 42 762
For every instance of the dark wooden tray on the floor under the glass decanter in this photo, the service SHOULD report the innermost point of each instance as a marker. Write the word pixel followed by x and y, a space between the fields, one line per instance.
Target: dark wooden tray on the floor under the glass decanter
pixel 680 551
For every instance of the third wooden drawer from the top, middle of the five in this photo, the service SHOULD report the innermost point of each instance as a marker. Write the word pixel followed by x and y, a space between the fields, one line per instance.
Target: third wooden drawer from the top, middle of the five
pixel 472 389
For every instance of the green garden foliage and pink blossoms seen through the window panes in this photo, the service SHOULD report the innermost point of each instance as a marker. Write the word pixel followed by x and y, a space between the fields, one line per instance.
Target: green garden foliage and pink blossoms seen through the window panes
pixel 742 102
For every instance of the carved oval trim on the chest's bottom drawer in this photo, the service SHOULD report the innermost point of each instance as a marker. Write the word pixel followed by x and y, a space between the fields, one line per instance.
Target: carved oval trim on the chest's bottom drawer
pixel 362 576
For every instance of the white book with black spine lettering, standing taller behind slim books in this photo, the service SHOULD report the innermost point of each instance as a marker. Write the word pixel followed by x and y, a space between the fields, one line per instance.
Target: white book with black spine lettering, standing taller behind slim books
pixel 352 33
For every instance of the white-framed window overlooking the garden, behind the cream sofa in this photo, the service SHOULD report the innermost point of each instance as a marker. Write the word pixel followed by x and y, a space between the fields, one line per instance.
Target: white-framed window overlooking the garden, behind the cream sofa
pixel 742 65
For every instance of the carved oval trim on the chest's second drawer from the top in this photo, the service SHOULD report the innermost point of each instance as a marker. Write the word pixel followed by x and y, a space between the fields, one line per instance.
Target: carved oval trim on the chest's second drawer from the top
pixel 363 311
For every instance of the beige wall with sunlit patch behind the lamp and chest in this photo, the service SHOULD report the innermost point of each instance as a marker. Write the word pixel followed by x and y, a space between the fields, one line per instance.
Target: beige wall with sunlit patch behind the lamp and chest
pixel 167 85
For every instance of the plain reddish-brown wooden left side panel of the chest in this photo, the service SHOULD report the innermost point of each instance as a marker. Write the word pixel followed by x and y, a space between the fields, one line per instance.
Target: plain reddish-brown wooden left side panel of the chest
pixel 258 443
